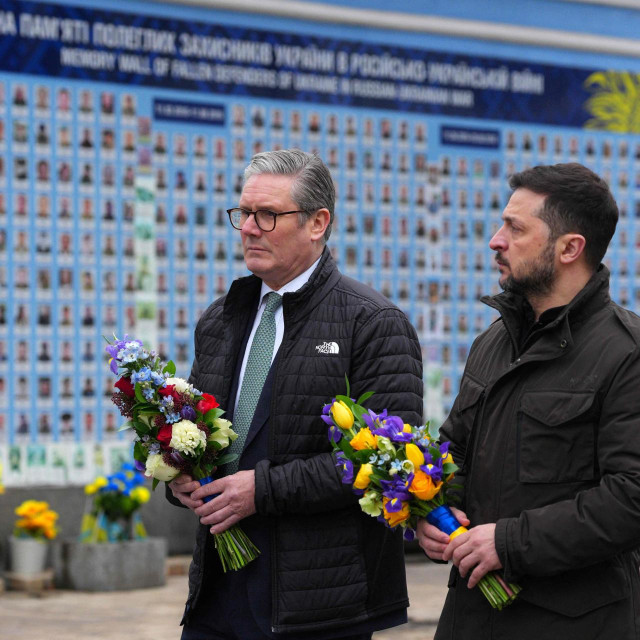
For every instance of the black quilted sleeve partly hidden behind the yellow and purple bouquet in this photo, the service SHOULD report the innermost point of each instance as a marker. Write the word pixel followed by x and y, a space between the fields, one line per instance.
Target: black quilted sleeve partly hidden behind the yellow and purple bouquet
pixel 386 358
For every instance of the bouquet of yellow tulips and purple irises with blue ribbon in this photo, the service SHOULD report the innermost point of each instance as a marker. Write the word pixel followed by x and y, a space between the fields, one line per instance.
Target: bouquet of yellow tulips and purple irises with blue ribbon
pixel 401 473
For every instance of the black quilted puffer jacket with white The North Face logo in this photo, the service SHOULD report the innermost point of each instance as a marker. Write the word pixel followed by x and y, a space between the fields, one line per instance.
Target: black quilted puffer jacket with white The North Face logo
pixel 331 564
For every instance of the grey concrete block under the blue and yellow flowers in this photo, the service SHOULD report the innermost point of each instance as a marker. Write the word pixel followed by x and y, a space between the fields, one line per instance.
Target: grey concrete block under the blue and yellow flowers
pixel 110 566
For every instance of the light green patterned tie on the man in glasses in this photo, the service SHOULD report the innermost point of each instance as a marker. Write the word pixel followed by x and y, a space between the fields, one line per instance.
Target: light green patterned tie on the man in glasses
pixel 255 373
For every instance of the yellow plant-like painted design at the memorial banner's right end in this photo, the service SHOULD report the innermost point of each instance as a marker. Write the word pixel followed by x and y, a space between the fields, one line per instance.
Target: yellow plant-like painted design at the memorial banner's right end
pixel 615 101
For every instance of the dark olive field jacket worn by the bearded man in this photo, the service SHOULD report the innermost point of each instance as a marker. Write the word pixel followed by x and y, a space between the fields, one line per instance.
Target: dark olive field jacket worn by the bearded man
pixel 548 437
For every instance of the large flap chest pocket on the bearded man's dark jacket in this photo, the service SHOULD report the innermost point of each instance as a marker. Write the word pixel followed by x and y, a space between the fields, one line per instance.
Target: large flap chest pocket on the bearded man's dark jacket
pixel 556 437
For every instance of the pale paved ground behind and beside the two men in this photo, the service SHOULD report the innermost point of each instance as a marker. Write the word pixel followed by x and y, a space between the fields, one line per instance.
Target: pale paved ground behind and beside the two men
pixel 154 614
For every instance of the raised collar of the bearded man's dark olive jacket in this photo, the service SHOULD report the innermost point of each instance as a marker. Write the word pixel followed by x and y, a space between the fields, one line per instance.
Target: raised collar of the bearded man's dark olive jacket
pixel 593 296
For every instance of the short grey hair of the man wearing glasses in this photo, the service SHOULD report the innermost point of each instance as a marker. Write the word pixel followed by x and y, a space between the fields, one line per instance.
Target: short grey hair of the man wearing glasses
pixel 313 186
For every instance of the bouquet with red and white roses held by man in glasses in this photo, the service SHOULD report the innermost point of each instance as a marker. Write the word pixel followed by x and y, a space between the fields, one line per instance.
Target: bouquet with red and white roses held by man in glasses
pixel 178 430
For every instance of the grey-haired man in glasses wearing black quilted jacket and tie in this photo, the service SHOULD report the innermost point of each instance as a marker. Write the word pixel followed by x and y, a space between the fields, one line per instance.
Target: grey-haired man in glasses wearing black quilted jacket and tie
pixel 325 570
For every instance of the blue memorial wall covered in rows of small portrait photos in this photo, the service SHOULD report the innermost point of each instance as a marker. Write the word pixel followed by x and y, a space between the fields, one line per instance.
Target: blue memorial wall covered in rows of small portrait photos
pixel 421 176
